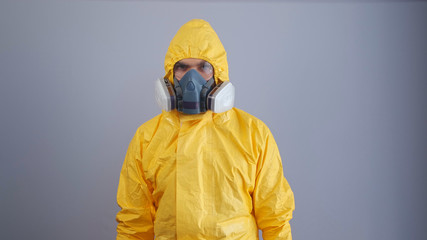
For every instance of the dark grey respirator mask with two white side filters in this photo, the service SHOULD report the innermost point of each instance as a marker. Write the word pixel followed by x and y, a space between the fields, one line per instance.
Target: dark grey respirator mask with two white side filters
pixel 193 94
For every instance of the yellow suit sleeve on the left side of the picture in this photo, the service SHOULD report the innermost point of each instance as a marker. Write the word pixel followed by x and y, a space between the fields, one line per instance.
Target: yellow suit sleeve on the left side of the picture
pixel 134 197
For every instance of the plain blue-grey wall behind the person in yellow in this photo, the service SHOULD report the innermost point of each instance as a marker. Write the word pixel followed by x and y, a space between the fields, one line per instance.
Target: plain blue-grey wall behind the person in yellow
pixel 342 86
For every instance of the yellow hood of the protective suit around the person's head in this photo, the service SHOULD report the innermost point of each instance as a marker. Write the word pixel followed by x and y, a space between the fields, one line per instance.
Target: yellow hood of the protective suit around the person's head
pixel 197 39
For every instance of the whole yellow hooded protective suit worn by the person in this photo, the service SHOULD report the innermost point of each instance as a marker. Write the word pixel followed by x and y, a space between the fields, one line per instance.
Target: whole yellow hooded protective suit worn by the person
pixel 204 176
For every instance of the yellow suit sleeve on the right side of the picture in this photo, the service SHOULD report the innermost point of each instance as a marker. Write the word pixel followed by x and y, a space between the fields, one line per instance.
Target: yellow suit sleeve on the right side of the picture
pixel 273 198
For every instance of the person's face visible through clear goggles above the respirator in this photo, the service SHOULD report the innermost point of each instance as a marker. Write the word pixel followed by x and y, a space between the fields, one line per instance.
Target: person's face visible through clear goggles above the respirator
pixel 204 68
